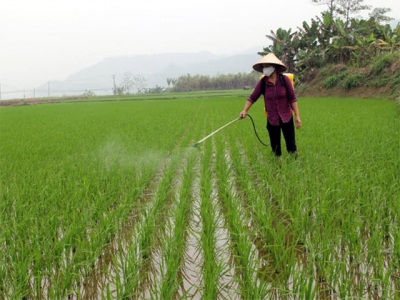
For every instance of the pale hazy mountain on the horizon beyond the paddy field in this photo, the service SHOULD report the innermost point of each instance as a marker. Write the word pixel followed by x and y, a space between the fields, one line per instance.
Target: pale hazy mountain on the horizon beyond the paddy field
pixel 156 68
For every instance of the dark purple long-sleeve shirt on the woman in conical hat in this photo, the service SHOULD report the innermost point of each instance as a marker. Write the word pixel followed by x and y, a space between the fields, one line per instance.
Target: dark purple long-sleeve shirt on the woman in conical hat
pixel 277 99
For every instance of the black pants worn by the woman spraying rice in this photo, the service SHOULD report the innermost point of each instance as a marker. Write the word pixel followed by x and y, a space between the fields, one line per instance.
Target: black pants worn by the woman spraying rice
pixel 288 134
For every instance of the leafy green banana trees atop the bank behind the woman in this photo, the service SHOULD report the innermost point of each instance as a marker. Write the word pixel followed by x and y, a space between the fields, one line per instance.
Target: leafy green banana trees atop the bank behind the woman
pixel 336 38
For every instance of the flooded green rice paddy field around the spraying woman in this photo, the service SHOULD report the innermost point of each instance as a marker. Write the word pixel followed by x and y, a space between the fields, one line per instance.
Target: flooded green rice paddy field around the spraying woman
pixel 109 200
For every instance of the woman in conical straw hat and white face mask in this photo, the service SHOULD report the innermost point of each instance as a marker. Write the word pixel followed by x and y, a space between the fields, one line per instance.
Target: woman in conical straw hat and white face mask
pixel 280 103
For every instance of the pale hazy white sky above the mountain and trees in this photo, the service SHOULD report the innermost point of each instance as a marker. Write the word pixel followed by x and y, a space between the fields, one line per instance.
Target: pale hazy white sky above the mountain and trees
pixel 45 40
